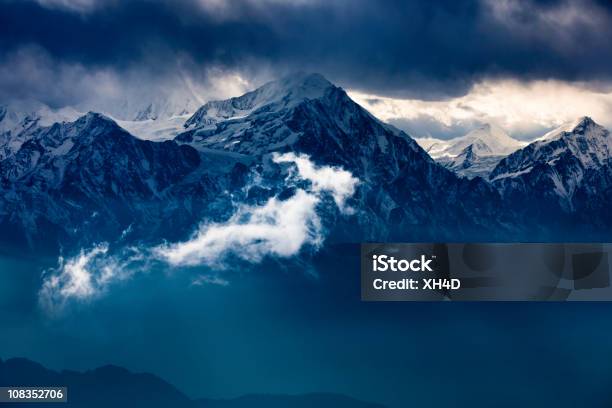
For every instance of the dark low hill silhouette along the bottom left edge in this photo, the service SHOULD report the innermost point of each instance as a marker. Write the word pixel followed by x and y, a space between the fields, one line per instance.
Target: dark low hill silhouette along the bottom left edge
pixel 115 387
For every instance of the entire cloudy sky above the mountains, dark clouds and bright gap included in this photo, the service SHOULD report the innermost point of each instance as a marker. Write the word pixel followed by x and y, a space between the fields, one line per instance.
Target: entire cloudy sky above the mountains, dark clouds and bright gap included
pixel 433 68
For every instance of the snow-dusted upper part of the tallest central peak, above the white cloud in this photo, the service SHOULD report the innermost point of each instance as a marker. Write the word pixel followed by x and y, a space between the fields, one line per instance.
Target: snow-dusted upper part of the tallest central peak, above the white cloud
pixel 300 112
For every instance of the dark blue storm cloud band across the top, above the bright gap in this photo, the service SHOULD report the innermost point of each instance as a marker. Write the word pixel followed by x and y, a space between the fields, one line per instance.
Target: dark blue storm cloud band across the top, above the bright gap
pixel 400 48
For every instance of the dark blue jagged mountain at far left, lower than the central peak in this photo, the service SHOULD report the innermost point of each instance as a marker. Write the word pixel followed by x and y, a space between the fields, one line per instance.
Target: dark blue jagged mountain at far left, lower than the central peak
pixel 83 181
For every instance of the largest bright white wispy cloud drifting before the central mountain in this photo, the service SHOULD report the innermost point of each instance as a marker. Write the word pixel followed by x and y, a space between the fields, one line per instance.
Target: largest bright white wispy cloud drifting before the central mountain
pixel 277 228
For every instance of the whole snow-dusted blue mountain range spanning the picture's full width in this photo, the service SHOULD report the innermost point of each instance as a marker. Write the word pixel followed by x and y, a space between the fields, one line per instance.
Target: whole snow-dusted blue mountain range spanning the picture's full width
pixel 69 180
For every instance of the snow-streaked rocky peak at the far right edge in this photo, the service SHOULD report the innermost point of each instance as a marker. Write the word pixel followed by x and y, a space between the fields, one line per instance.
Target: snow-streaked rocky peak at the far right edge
pixel 565 172
